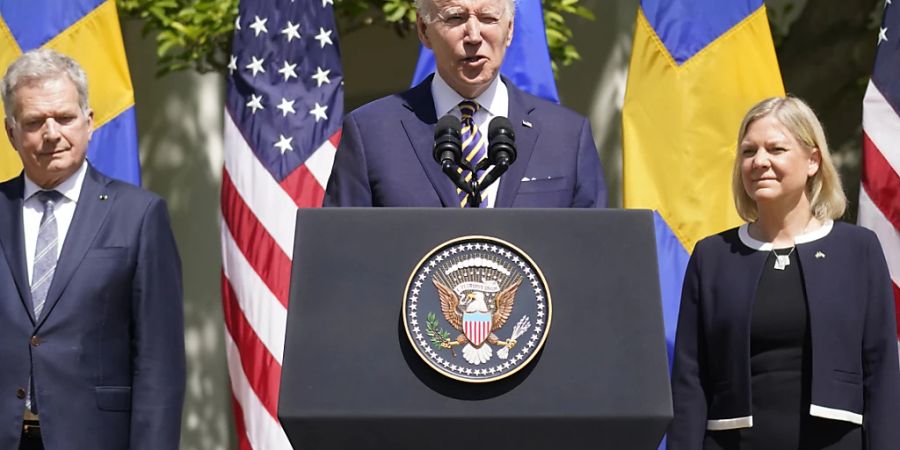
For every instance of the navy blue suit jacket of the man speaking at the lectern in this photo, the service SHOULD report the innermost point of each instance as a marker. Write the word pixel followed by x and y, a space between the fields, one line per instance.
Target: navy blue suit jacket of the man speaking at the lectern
pixel 385 156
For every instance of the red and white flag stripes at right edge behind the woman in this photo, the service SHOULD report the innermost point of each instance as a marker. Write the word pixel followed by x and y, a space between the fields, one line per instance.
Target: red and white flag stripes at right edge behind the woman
pixel 879 195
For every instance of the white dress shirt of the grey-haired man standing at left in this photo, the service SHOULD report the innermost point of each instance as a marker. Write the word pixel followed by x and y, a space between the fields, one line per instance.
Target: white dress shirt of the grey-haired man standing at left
pixel 33 210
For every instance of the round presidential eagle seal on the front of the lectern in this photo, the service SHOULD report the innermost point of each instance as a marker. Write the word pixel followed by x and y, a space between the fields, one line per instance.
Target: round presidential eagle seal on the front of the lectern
pixel 477 309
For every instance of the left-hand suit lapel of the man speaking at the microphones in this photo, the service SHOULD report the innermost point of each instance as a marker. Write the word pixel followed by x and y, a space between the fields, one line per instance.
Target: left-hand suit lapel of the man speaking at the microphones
pixel 419 129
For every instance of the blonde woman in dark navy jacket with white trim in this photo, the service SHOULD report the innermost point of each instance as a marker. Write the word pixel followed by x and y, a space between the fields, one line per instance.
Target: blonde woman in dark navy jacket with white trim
pixel 786 336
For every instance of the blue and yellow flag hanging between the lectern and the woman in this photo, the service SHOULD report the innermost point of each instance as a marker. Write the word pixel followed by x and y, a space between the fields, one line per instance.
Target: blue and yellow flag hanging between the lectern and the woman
pixel 696 68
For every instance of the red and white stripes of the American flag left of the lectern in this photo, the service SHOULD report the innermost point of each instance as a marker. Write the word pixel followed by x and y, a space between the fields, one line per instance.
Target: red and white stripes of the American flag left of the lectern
pixel 257 231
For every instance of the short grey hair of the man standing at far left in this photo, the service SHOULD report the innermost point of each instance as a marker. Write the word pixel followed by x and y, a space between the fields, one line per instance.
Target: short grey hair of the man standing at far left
pixel 41 65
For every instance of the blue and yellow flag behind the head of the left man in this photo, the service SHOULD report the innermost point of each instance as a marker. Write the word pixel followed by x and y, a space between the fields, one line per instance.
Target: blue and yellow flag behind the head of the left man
pixel 89 32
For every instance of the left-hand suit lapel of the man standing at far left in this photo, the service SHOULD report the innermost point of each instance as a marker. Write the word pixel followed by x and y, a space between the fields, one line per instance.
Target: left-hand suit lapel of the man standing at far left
pixel 12 238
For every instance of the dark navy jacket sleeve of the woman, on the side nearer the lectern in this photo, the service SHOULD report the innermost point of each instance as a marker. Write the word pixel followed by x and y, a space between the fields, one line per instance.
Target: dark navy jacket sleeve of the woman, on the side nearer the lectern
pixel 689 367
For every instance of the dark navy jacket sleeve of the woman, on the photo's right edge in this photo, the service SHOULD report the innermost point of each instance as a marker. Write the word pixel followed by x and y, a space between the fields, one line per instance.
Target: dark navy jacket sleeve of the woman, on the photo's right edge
pixel 880 366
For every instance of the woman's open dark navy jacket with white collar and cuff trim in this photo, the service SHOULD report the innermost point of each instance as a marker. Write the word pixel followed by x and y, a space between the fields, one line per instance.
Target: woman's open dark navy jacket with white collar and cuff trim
pixel 855 372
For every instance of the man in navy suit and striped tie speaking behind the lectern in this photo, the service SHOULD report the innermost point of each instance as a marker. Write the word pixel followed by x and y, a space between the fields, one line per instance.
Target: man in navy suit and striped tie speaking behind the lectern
pixel 385 155
